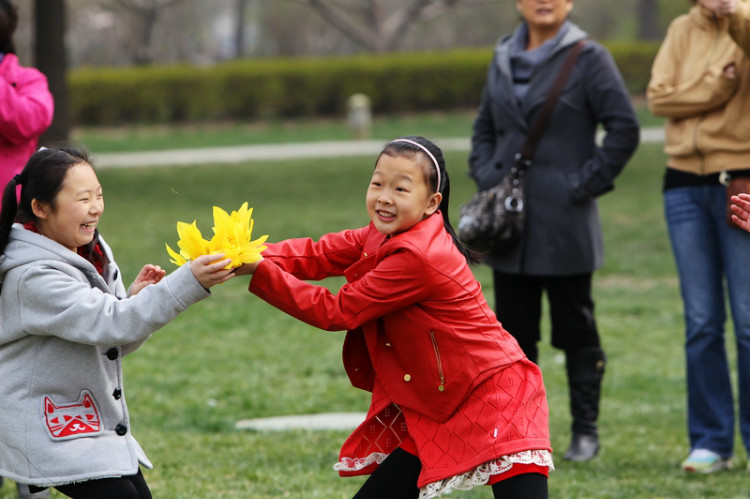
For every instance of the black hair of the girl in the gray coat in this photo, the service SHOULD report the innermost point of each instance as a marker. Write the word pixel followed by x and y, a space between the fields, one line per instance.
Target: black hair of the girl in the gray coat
pixel 41 179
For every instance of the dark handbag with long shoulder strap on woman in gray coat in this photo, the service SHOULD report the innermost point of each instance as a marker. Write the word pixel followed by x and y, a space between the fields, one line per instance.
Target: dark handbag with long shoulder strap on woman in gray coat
pixel 493 220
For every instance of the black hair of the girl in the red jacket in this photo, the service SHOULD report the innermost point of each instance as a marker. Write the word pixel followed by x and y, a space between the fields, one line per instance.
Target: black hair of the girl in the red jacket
pixel 399 147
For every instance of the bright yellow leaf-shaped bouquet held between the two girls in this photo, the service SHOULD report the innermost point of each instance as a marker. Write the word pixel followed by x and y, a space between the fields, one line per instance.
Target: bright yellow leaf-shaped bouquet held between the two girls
pixel 232 236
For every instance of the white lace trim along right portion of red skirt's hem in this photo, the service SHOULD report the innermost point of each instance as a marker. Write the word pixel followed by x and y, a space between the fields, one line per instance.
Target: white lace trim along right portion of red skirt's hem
pixel 481 474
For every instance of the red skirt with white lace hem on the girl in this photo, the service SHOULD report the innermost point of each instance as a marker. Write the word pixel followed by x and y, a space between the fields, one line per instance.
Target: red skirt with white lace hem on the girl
pixel 503 423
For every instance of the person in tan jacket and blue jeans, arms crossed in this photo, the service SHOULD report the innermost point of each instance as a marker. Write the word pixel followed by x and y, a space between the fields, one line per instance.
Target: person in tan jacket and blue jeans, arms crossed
pixel 700 81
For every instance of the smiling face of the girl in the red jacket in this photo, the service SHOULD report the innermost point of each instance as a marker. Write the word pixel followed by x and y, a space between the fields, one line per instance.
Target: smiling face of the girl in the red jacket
pixel 398 196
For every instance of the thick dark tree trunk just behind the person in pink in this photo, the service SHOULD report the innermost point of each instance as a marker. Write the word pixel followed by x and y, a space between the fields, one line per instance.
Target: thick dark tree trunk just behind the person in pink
pixel 50 59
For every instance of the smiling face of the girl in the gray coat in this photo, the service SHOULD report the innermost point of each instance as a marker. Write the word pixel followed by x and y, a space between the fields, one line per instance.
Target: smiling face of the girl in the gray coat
pixel 78 206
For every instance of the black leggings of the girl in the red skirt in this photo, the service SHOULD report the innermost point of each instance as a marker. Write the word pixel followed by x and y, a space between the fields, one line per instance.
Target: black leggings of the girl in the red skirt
pixel 396 478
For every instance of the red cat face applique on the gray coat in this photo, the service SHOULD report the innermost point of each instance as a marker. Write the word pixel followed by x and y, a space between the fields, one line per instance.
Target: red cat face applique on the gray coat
pixel 80 418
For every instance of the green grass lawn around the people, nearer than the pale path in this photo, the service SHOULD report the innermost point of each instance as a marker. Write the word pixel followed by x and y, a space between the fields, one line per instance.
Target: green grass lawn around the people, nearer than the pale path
pixel 233 357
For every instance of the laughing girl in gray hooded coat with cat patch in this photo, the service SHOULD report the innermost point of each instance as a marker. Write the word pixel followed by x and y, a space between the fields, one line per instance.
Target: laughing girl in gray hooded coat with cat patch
pixel 66 321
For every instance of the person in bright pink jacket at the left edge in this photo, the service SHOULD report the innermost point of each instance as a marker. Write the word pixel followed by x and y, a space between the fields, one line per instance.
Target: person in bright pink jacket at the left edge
pixel 26 104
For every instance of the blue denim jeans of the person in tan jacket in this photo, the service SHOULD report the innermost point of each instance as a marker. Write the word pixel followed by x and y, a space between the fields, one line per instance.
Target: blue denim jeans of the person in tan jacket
pixel 712 257
